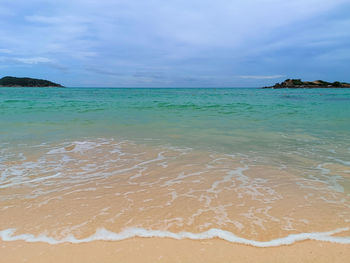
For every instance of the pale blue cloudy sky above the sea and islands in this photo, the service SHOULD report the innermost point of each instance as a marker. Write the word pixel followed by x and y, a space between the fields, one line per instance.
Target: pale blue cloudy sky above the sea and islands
pixel 175 43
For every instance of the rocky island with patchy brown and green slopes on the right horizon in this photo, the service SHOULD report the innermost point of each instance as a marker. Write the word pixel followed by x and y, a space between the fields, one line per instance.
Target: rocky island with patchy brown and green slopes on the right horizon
pixel 298 84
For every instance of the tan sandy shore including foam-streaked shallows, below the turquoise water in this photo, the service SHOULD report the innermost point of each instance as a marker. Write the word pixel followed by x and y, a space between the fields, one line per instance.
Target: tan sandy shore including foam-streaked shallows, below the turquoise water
pixel 79 188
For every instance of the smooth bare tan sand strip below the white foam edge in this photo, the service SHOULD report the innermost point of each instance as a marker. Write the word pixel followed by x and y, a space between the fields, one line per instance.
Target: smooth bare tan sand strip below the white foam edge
pixel 169 250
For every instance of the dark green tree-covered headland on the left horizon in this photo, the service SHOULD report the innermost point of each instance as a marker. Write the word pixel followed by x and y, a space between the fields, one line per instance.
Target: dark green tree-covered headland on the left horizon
pixel 26 82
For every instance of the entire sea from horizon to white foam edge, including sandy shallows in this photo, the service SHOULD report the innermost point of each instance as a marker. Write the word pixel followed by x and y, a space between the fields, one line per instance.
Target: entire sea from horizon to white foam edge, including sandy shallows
pixel 254 166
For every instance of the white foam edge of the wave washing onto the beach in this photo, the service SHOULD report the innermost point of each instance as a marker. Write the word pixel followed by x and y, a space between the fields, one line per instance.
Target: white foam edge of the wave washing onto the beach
pixel 106 235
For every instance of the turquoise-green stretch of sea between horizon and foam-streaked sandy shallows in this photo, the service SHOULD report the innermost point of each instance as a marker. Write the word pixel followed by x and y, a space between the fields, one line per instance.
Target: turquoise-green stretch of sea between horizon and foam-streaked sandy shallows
pixel 267 122
